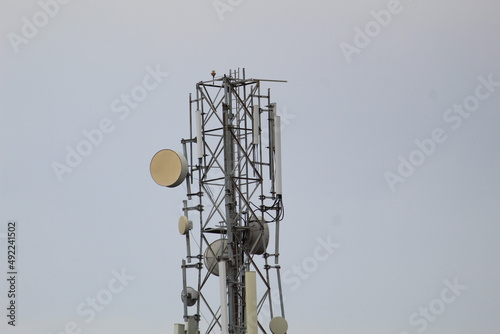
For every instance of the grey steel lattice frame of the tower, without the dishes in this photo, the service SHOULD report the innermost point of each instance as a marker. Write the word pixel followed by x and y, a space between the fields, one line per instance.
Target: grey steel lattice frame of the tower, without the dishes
pixel 235 180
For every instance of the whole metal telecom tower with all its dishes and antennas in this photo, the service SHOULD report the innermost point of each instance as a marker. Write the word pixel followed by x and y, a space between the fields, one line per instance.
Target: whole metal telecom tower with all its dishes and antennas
pixel 231 166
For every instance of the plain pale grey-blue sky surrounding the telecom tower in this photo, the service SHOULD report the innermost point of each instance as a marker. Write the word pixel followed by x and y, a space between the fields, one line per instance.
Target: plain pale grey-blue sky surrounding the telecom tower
pixel 345 125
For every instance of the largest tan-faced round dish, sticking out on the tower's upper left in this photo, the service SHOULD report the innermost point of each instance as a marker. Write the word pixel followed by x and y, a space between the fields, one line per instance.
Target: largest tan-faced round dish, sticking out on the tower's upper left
pixel 168 168
